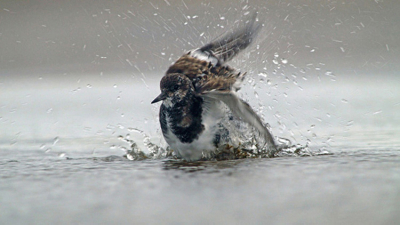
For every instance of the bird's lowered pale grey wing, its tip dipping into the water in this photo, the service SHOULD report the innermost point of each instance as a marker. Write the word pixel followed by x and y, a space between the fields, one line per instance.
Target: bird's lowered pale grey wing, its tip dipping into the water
pixel 242 110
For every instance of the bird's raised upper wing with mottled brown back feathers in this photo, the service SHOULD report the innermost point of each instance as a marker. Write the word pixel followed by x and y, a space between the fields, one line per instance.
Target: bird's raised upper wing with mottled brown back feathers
pixel 205 65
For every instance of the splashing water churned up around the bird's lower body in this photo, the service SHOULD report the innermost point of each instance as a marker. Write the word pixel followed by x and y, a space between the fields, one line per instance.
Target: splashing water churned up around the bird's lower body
pixel 243 142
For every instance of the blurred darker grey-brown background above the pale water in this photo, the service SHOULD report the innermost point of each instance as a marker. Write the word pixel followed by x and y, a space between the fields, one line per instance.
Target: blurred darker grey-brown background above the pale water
pixel 91 36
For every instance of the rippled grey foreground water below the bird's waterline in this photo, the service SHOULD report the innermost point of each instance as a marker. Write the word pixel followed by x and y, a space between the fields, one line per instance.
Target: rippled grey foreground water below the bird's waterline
pixel 357 186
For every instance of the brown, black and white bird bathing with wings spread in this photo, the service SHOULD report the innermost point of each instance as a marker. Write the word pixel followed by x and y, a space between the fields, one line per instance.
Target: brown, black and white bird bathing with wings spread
pixel 196 88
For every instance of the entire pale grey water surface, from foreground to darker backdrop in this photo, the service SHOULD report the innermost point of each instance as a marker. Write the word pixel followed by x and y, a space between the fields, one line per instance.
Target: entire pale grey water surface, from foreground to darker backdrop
pixel 66 165
